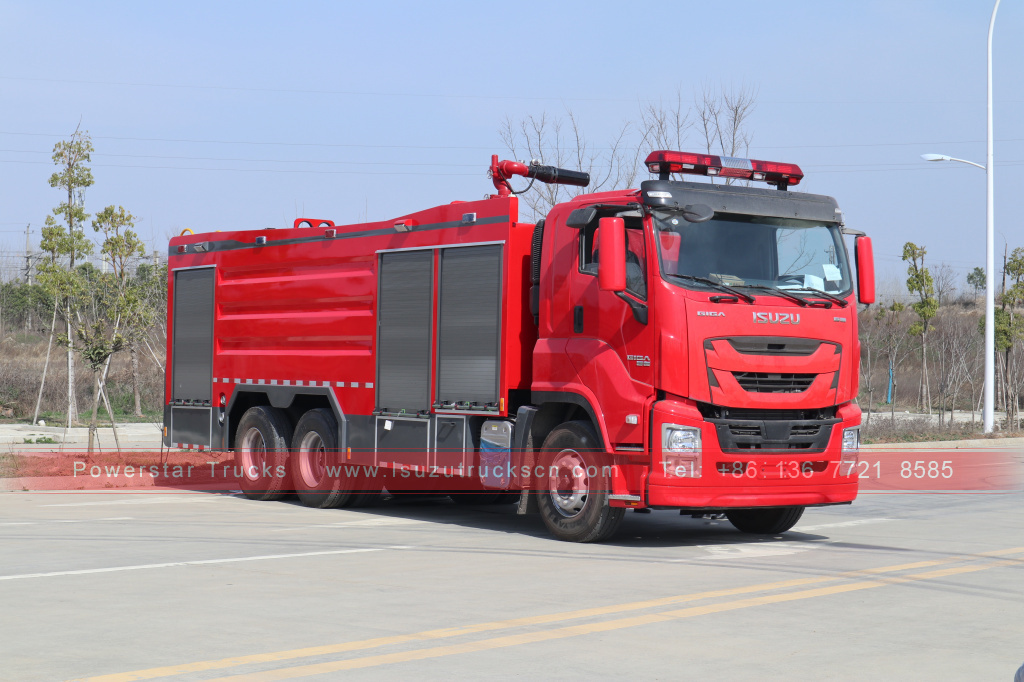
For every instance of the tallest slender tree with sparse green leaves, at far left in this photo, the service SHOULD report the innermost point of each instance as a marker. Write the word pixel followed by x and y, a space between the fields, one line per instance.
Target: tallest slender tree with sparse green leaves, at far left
pixel 65 243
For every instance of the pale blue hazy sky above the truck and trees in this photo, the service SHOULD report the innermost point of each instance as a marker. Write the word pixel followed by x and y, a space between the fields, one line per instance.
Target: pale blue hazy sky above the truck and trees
pixel 222 116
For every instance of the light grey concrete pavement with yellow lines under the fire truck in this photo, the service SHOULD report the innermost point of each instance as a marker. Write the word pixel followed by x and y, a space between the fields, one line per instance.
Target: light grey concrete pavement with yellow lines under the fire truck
pixel 198 587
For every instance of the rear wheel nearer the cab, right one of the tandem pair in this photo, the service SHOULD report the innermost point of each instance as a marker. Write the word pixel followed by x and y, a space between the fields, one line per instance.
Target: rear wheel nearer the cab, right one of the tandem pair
pixel 315 452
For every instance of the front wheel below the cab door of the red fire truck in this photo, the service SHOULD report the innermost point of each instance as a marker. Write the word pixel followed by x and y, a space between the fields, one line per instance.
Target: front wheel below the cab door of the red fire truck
pixel 573 494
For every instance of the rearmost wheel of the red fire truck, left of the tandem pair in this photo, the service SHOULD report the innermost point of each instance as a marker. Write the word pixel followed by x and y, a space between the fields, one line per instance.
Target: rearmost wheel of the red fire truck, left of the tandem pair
pixel 262 450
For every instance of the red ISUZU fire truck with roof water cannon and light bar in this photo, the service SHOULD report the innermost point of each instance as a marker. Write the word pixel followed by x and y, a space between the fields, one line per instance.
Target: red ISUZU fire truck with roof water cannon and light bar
pixel 688 346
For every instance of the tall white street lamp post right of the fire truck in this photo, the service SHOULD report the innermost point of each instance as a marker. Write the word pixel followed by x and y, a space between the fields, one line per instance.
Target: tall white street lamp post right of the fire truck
pixel 989 413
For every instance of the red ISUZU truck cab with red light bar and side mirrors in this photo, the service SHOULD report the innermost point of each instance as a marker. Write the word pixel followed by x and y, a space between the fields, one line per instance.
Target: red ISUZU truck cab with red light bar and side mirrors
pixel 709 335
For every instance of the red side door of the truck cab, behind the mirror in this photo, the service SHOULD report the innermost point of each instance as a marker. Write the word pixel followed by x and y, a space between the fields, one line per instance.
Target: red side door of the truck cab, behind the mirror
pixel 612 349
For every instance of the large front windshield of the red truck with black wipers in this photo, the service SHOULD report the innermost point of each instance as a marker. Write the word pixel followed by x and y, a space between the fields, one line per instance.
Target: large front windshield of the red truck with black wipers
pixel 753 251
